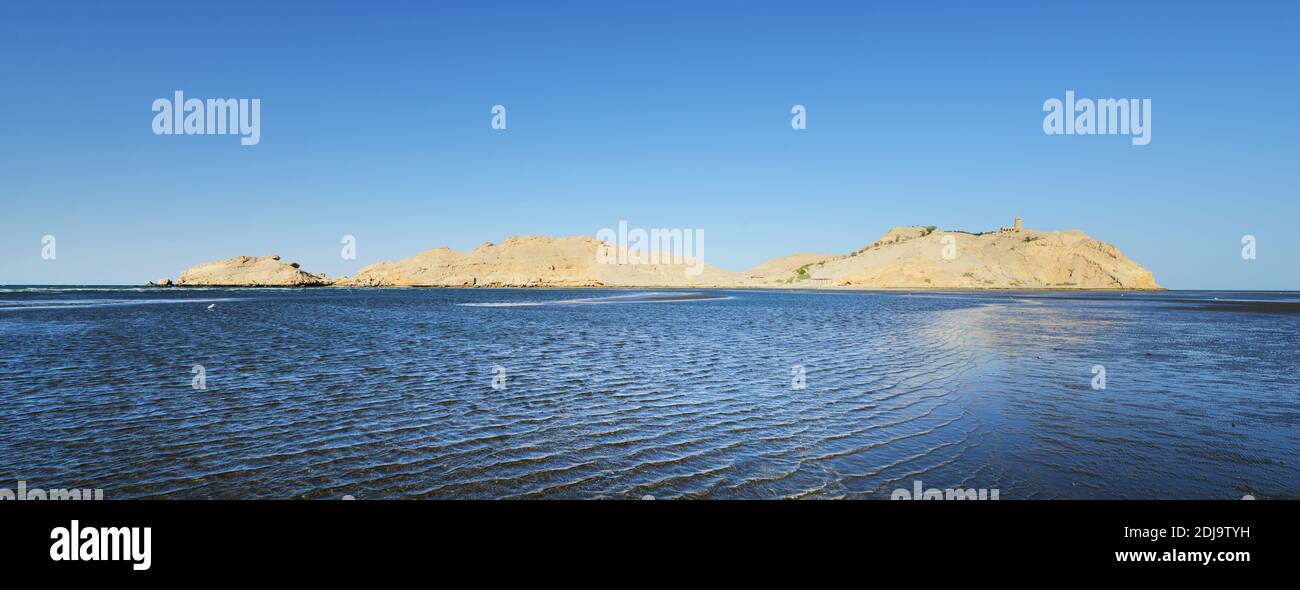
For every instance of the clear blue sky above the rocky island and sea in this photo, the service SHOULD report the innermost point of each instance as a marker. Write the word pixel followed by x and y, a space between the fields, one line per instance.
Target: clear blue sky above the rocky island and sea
pixel 376 123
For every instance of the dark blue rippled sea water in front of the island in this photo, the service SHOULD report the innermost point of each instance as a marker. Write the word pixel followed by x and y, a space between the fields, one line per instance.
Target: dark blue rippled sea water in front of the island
pixel 622 394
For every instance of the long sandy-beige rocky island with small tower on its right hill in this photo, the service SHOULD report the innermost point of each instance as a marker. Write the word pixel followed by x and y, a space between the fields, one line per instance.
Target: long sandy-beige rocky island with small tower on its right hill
pixel 905 258
